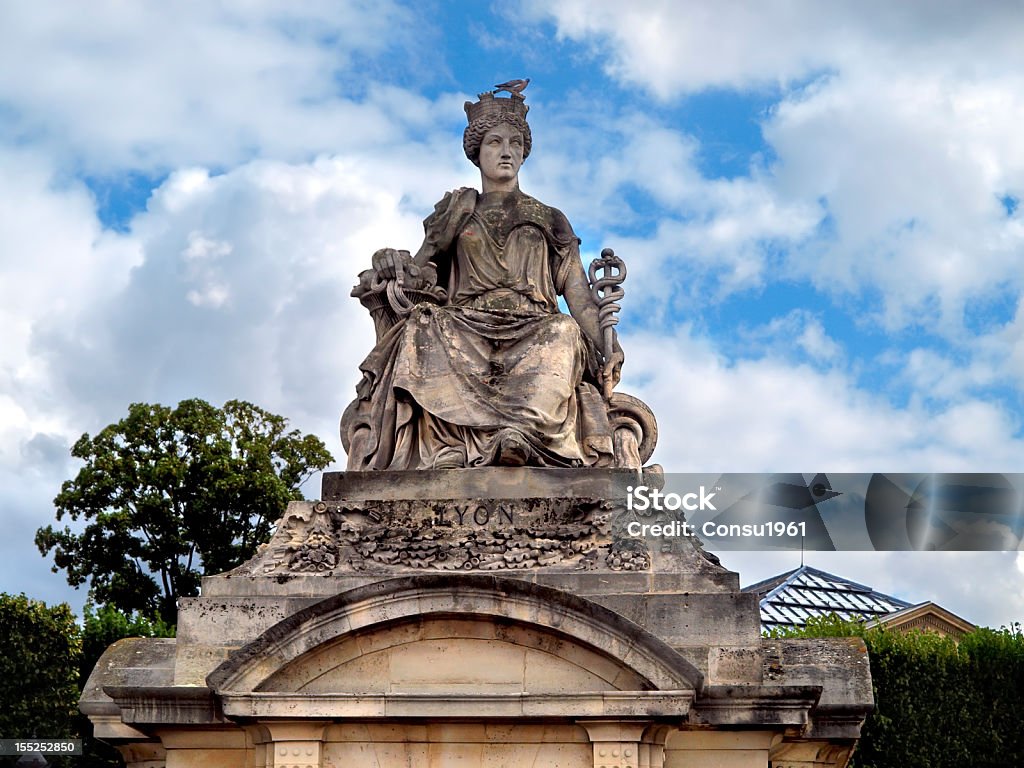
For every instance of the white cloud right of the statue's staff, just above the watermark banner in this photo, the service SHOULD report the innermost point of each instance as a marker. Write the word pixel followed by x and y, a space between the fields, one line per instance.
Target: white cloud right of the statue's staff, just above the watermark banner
pixel 770 415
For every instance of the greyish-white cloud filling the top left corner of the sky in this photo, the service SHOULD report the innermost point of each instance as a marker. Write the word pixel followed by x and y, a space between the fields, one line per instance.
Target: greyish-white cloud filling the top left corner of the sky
pixel 150 86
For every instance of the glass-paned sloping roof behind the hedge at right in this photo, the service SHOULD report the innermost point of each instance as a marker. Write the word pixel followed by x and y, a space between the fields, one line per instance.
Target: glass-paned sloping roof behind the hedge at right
pixel 790 600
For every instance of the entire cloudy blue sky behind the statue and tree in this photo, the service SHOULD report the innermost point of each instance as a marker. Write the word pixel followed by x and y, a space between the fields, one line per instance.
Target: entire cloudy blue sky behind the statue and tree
pixel 819 204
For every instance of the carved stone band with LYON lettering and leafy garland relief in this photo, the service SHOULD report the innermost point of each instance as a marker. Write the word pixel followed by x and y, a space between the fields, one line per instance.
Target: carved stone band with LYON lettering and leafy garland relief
pixel 476 535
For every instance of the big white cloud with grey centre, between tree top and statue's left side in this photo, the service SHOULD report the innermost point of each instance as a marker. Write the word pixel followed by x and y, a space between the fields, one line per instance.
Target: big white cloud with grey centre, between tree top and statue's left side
pixel 228 286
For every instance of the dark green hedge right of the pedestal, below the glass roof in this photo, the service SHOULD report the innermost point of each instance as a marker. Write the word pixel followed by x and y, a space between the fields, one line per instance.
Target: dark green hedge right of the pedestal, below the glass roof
pixel 940 703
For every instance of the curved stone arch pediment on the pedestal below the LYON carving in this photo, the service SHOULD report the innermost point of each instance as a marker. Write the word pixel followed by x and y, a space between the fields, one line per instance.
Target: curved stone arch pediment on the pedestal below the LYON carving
pixel 403 618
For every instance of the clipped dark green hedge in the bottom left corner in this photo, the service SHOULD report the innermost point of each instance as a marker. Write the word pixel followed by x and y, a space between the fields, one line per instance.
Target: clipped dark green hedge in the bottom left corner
pixel 40 649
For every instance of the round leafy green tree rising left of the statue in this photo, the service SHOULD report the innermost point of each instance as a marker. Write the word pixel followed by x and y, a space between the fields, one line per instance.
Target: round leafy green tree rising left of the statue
pixel 167 492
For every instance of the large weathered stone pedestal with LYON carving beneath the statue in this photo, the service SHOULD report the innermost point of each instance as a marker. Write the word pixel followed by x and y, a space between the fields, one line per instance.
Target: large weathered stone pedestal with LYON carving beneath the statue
pixel 488 617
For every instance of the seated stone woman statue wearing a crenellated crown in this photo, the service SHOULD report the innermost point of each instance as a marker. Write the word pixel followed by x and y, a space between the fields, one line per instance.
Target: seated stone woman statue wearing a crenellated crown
pixel 498 375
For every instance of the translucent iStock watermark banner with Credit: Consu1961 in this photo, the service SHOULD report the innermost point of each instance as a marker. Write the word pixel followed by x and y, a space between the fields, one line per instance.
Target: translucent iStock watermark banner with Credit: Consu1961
pixel 834 511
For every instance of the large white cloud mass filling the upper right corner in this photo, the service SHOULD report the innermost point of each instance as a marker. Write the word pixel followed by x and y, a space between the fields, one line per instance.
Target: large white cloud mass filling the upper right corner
pixel 894 141
